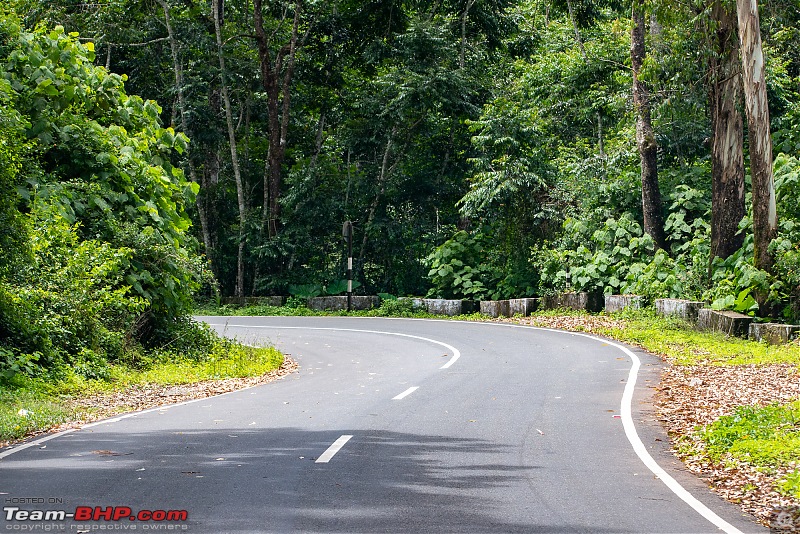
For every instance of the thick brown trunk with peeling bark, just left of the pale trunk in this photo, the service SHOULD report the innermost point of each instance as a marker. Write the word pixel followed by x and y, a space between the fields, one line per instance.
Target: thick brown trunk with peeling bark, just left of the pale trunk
pixel 727 158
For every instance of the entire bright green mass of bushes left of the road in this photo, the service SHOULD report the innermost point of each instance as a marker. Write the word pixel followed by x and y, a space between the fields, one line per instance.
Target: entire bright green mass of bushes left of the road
pixel 97 263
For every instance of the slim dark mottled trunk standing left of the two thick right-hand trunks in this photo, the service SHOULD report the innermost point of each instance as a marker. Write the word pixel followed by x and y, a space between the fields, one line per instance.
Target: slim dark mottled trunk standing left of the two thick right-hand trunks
pixel 645 137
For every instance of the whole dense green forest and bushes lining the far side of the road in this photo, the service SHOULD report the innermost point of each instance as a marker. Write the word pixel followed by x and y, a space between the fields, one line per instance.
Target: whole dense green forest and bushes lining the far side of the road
pixel 154 152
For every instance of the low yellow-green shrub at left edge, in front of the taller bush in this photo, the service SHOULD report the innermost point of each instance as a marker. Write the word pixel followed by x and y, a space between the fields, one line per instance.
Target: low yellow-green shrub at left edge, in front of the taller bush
pixel 70 305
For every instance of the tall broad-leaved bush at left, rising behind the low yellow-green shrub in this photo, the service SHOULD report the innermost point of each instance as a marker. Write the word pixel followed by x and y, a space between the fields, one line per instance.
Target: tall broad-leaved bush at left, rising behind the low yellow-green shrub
pixel 100 159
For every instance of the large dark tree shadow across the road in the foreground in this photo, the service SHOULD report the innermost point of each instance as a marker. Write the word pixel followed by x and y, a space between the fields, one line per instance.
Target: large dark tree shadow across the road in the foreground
pixel 266 480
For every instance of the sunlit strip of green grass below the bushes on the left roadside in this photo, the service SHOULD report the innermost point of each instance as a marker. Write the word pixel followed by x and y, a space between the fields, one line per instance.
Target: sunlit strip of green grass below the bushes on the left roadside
pixel 32 405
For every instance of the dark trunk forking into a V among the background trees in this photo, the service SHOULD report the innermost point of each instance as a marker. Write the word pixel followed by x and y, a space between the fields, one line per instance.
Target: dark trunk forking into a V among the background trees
pixel 278 106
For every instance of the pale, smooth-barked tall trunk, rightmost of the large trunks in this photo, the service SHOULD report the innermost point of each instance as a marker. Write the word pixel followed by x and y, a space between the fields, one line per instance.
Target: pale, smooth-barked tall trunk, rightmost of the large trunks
pixel 765 216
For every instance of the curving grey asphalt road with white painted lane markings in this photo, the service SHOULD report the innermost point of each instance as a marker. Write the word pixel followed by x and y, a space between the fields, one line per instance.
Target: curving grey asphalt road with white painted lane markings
pixel 390 426
